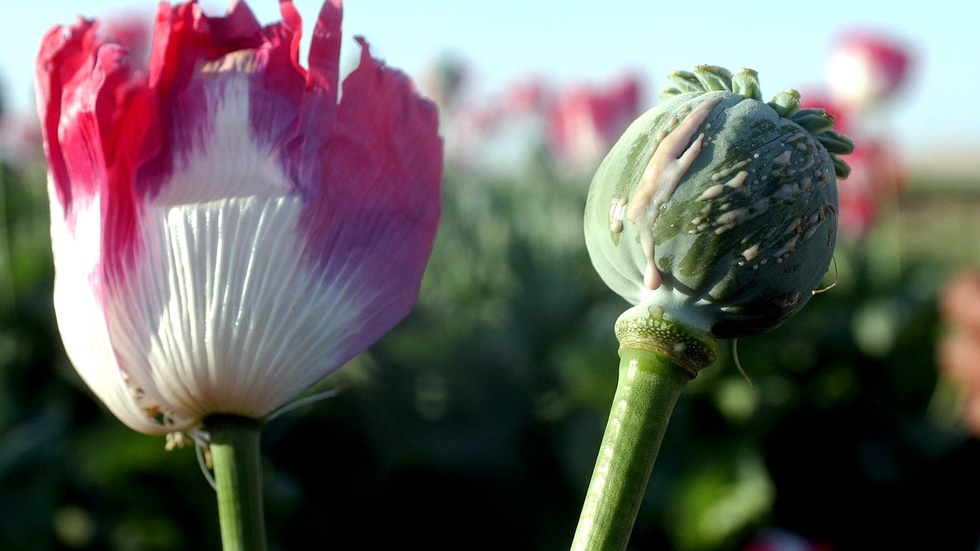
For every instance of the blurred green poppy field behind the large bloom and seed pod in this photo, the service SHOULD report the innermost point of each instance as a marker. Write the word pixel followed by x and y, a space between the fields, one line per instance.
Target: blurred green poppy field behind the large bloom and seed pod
pixel 475 423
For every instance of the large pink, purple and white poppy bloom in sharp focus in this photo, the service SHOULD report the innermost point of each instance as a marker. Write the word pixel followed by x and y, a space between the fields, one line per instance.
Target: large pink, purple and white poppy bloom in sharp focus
pixel 226 232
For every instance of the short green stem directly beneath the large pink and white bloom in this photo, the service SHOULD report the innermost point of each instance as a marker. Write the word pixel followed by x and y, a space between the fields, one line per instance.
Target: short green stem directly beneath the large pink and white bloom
pixel 237 471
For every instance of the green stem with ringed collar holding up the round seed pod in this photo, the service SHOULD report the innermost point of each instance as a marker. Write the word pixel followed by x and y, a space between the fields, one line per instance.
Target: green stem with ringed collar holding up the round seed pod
pixel 657 358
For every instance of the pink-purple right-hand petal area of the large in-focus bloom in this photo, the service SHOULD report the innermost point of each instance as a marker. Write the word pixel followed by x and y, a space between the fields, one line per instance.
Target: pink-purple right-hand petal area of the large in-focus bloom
pixel 373 222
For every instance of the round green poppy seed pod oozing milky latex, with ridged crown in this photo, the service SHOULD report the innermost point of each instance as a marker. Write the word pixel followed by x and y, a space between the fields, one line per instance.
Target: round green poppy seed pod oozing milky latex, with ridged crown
pixel 716 208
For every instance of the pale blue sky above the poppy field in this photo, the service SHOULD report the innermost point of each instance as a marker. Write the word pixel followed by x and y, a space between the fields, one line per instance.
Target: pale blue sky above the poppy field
pixel 567 41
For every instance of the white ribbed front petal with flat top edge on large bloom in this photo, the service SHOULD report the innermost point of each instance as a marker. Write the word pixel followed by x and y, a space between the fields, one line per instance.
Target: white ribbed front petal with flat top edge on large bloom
pixel 205 329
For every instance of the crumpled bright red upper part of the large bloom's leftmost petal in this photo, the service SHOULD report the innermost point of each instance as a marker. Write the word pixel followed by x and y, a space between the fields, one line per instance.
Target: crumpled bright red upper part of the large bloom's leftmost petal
pixel 97 117
